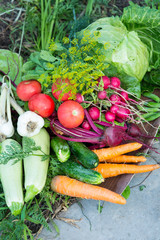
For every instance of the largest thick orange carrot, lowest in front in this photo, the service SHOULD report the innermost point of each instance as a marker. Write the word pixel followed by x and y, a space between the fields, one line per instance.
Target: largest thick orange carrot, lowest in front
pixel 74 188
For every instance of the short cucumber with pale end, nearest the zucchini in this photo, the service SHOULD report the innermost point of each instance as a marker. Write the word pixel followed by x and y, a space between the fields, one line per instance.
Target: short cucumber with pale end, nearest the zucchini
pixel 61 149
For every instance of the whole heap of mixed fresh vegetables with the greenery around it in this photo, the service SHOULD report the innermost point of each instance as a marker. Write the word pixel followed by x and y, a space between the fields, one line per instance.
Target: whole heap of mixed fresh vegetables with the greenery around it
pixel 75 110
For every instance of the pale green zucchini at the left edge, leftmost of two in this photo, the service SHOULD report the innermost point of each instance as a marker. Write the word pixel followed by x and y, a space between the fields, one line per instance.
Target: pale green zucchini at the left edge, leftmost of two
pixel 11 178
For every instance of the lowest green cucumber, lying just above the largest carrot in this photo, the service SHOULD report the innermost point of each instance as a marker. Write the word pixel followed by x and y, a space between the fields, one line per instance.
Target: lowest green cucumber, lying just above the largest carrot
pixel 75 170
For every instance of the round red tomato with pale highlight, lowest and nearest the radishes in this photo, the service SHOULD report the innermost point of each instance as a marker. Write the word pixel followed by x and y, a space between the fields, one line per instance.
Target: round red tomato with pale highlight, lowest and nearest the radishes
pixel 70 114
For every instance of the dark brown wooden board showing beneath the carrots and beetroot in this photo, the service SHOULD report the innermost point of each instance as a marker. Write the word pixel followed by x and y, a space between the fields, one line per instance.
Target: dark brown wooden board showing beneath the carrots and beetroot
pixel 119 183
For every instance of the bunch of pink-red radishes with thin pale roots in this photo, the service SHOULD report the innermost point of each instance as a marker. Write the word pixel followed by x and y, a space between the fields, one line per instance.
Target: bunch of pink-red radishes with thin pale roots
pixel 119 108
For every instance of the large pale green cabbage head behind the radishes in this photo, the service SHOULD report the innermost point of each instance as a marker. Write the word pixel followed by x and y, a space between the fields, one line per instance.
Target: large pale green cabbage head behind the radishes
pixel 127 55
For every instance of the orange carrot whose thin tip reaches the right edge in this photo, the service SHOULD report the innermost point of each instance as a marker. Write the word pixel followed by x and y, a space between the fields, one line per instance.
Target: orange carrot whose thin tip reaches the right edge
pixel 110 170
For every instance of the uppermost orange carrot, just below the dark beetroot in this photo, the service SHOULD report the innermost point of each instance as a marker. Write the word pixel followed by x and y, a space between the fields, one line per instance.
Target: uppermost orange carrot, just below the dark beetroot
pixel 107 153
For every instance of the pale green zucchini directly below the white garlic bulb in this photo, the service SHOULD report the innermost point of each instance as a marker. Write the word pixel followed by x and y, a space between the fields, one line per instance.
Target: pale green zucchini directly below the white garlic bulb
pixel 35 170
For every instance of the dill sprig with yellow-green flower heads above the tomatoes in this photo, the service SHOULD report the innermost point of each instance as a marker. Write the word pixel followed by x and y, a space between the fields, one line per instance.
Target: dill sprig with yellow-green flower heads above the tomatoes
pixel 80 61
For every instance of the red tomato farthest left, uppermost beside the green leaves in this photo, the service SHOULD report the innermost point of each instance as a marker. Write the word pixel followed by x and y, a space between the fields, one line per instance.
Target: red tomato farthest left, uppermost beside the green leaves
pixel 26 89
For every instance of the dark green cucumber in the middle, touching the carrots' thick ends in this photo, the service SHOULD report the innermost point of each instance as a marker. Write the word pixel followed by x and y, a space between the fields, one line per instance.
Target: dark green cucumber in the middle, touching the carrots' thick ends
pixel 83 154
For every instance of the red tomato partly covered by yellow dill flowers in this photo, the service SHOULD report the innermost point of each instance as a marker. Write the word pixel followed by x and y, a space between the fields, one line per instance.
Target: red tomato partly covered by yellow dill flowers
pixel 56 94
